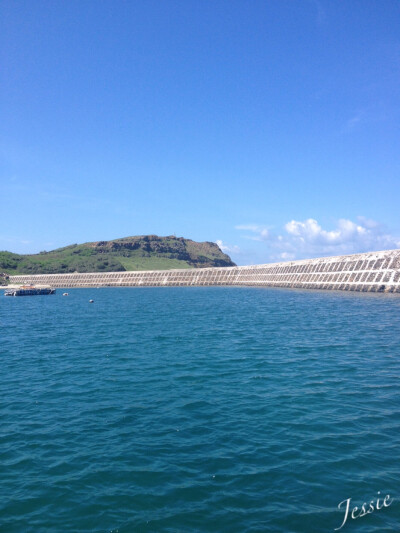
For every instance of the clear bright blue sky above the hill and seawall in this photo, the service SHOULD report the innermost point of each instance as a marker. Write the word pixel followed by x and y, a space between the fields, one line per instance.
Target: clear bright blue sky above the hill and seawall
pixel 270 127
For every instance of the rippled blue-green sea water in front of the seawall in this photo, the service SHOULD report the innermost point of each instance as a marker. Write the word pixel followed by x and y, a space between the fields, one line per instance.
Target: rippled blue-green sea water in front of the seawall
pixel 199 410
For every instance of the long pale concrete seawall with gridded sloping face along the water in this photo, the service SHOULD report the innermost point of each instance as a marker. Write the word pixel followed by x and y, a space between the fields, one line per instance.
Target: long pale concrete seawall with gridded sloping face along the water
pixel 368 272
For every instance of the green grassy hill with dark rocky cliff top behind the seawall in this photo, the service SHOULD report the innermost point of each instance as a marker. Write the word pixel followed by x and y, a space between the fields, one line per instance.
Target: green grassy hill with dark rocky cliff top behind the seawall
pixel 148 252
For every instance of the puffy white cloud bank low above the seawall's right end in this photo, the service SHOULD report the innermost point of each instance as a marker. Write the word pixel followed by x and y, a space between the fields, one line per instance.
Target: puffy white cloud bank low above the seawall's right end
pixel 302 239
